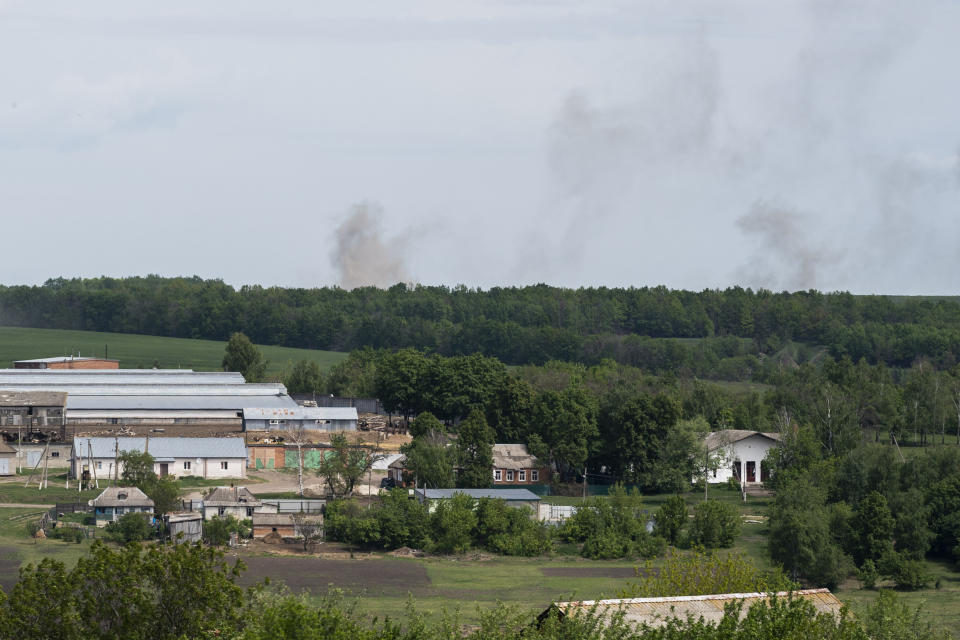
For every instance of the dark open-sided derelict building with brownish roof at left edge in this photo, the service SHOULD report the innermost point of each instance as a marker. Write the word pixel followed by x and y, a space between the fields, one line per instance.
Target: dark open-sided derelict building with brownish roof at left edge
pixel 32 414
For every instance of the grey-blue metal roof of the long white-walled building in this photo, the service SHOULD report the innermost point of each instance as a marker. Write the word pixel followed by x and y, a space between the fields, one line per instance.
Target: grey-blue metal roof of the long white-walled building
pixel 163 447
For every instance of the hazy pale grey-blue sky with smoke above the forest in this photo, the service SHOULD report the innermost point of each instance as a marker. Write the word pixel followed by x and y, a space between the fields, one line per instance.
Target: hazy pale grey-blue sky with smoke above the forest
pixel 693 144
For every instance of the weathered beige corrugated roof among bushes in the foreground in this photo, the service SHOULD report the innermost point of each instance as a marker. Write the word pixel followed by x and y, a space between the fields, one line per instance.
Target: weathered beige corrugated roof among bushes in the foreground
pixel 656 612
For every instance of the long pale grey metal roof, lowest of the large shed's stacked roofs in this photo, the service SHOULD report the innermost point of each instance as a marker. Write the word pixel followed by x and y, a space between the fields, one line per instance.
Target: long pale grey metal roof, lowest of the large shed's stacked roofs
pixel 174 403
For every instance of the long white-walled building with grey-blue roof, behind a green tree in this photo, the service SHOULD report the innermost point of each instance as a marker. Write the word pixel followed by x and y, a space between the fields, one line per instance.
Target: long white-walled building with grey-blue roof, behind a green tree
pixel 202 457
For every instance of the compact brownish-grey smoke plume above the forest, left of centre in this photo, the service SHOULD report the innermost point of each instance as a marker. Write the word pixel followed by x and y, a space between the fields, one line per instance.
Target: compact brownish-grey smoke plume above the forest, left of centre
pixel 362 256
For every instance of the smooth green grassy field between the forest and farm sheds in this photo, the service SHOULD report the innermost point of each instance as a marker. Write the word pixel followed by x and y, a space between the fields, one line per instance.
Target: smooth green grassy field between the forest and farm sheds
pixel 136 351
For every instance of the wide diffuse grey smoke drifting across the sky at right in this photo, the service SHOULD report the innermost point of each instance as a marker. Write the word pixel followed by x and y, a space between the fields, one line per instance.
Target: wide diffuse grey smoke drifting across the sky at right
pixel 799 179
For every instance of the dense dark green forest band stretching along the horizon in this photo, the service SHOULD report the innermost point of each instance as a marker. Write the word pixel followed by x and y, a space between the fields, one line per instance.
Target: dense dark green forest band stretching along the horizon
pixel 685 332
